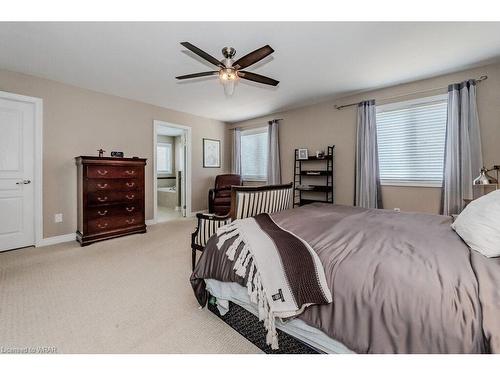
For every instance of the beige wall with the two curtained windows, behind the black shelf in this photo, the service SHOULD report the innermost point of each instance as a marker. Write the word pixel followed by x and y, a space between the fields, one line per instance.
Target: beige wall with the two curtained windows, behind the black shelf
pixel 316 126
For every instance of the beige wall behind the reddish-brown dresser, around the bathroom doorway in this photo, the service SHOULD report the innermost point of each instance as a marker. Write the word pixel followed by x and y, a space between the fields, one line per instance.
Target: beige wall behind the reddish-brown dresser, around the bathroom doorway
pixel 78 122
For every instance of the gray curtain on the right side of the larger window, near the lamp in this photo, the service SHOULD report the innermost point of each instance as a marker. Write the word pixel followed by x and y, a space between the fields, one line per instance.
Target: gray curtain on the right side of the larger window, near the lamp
pixel 463 155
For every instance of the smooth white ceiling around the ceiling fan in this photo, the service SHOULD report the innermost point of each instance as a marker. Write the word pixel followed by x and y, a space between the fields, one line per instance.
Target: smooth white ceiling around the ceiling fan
pixel 313 61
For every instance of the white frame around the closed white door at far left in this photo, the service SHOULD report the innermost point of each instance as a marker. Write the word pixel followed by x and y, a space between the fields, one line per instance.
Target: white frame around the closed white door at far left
pixel 37 163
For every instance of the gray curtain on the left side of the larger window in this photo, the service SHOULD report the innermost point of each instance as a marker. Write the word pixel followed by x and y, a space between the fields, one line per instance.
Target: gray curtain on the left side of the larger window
pixel 367 193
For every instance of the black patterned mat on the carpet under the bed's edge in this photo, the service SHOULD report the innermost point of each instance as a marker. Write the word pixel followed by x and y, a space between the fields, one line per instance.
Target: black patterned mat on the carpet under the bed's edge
pixel 248 325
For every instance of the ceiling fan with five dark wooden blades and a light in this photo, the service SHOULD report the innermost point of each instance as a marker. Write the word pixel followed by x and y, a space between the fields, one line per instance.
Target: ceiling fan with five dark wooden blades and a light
pixel 229 71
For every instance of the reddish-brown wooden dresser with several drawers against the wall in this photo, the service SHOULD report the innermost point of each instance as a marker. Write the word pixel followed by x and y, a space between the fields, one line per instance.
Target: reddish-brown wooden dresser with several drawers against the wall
pixel 110 197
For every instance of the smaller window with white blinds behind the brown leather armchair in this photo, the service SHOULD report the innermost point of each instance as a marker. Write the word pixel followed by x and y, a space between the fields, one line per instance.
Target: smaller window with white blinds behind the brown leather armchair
pixel 254 154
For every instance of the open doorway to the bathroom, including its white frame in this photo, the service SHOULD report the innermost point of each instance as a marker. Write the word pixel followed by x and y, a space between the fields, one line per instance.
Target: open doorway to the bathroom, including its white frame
pixel 171 171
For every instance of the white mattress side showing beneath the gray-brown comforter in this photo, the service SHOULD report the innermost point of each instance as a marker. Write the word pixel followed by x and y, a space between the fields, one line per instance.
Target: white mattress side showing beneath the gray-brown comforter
pixel 231 291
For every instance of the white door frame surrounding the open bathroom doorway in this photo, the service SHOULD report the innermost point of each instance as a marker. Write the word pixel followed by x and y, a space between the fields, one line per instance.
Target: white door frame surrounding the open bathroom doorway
pixel 157 124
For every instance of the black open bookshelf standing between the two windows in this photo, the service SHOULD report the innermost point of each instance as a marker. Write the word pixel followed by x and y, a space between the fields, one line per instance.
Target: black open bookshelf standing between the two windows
pixel 318 173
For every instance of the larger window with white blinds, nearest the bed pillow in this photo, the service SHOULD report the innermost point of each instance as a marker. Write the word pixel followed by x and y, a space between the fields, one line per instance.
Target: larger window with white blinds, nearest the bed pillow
pixel 411 139
